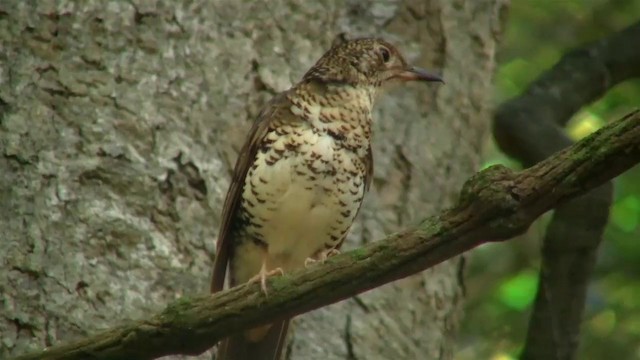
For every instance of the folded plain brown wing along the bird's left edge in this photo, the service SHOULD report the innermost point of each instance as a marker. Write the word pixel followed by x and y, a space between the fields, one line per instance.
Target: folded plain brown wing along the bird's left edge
pixel 274 113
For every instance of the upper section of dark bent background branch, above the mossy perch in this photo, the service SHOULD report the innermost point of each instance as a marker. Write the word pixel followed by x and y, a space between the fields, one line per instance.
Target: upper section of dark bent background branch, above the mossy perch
pixel 579 78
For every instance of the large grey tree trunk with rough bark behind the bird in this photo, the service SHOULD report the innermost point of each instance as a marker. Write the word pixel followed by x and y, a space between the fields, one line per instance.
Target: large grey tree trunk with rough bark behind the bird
pixel 120 122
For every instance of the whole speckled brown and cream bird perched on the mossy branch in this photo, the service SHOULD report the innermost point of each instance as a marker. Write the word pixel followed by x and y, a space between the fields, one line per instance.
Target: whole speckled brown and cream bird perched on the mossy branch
pixel 300 178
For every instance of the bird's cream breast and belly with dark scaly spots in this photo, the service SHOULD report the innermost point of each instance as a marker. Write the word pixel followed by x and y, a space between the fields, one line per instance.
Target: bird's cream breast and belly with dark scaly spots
pixel 304 189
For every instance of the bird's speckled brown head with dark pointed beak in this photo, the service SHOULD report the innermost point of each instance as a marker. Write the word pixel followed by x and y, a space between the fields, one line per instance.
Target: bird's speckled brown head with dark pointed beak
pixel 365 62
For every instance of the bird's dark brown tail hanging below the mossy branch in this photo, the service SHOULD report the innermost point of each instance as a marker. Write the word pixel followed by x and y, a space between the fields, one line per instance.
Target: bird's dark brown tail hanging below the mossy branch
pixel 263 343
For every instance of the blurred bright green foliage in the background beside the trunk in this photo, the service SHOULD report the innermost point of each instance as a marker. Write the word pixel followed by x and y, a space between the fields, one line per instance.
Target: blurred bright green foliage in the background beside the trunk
pixel 502 278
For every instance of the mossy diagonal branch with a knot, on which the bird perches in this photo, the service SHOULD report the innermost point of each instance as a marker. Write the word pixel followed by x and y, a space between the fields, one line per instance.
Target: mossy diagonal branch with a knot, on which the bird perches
pixel 494 205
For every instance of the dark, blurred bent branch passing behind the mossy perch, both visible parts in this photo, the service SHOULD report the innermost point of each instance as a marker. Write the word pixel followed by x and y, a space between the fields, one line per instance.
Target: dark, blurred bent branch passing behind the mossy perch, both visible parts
pixel 527 128
